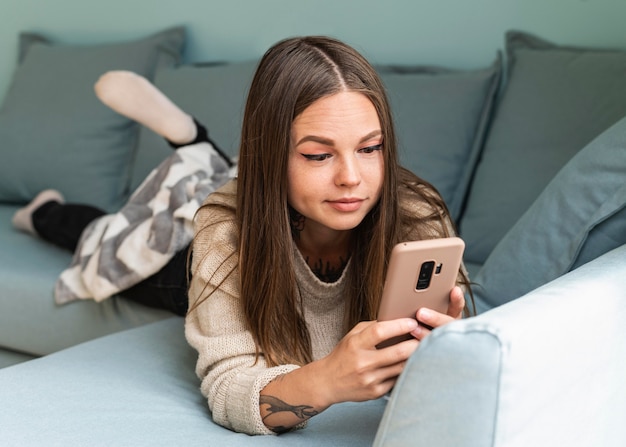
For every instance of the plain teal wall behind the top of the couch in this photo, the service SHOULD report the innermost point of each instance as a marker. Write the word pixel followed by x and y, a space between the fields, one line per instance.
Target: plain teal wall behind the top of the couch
pixel 454 33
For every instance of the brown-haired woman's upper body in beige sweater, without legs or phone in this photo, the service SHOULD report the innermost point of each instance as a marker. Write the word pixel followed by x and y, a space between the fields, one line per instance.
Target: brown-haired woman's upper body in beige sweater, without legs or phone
pixel 289 259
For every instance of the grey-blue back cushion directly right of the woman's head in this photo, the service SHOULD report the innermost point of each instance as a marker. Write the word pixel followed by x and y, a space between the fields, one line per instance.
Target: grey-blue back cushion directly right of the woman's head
pixel 441 118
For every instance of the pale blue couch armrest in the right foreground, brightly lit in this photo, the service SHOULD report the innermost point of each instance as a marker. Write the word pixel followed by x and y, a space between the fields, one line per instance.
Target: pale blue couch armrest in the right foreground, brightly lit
pixel 544 370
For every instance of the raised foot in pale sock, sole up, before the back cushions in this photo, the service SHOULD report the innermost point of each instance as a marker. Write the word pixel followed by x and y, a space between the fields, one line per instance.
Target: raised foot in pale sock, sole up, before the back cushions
pixel 133 96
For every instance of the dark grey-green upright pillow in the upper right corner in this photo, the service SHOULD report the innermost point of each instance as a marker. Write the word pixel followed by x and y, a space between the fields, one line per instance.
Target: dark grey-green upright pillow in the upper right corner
pixel 557 99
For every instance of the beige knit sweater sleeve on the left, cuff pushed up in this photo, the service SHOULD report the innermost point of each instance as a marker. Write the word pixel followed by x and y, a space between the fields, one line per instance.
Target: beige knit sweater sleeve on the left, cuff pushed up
pixel 231 377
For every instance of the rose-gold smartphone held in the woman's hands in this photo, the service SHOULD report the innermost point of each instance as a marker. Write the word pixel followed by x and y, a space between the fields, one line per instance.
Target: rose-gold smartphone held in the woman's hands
pixel 420 274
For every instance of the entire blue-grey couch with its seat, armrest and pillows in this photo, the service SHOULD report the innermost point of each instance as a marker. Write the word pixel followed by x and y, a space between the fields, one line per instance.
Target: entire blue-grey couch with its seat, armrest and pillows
pixel 530 155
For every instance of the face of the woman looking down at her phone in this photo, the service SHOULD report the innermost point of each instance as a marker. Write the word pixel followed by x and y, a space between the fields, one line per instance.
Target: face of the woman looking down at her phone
pixel 336 165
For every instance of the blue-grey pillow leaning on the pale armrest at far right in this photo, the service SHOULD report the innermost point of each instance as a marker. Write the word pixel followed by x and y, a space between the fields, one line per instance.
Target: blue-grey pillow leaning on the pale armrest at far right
pixel 579 216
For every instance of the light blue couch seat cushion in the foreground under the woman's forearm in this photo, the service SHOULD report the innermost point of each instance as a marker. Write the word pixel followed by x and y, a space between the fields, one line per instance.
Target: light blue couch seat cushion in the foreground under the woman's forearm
pixel 138 387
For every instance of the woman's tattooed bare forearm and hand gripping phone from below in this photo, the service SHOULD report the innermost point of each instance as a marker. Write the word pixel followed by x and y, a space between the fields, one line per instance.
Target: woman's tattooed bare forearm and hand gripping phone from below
pixel 354 371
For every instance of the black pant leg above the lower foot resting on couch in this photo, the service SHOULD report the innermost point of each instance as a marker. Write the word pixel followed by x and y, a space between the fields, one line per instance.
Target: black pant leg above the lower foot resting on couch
pixel 62 224
